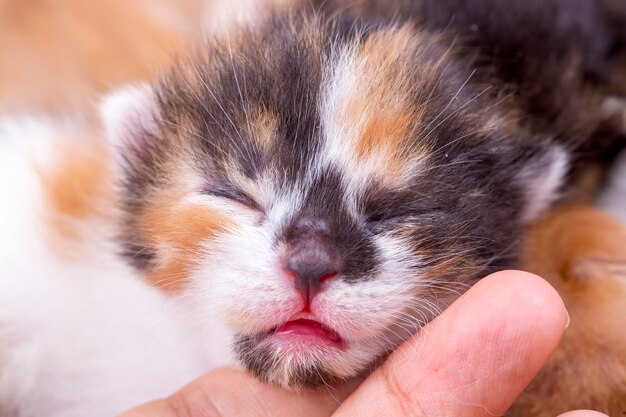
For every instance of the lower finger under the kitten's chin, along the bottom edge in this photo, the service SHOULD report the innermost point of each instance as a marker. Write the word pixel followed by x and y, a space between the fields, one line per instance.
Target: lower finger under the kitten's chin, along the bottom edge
pixel 233 393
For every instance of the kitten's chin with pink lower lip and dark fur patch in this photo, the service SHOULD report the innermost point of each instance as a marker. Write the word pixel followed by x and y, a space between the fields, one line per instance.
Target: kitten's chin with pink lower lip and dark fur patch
pixel 297 355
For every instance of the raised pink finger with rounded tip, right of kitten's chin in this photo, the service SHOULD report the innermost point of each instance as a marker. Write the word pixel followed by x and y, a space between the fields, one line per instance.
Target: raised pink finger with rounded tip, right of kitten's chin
pixel 474 359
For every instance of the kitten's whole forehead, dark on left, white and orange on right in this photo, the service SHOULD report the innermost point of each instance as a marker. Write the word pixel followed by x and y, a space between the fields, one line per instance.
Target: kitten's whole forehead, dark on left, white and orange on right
pixel 288 105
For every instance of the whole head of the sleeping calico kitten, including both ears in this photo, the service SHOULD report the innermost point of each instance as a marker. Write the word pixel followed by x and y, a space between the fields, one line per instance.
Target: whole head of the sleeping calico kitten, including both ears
pixel 324 187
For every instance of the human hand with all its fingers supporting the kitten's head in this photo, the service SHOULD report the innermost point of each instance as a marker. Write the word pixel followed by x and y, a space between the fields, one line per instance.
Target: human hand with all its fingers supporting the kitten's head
pixel 473 360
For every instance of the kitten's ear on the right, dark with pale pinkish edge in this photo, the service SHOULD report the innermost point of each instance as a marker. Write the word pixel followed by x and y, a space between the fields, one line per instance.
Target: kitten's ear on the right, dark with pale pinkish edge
pixel 542 174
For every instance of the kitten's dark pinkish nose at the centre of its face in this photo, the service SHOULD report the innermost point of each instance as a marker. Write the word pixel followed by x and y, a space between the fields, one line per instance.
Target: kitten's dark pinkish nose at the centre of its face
pixel 310 263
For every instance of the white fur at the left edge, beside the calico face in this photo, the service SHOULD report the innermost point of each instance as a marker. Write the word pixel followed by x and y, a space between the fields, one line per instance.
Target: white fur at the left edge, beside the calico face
pixel 82 336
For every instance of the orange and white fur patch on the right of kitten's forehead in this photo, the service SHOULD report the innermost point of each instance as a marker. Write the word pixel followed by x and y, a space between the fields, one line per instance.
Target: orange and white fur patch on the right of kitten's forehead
pixel 368 111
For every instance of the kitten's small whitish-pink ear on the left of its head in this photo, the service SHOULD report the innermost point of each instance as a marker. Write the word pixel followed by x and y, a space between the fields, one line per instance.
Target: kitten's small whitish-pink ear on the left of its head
pixel 129 116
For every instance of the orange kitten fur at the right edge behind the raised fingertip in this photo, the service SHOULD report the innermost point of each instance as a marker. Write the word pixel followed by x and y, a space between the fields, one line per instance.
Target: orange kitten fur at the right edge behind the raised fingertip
pixel 582 252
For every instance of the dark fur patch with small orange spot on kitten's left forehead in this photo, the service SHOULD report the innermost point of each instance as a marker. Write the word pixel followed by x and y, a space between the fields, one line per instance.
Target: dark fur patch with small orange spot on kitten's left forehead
pixel 251 102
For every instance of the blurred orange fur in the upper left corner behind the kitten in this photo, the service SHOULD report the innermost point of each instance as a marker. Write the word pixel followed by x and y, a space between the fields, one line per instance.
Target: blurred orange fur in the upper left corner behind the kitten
pixel 60 55
